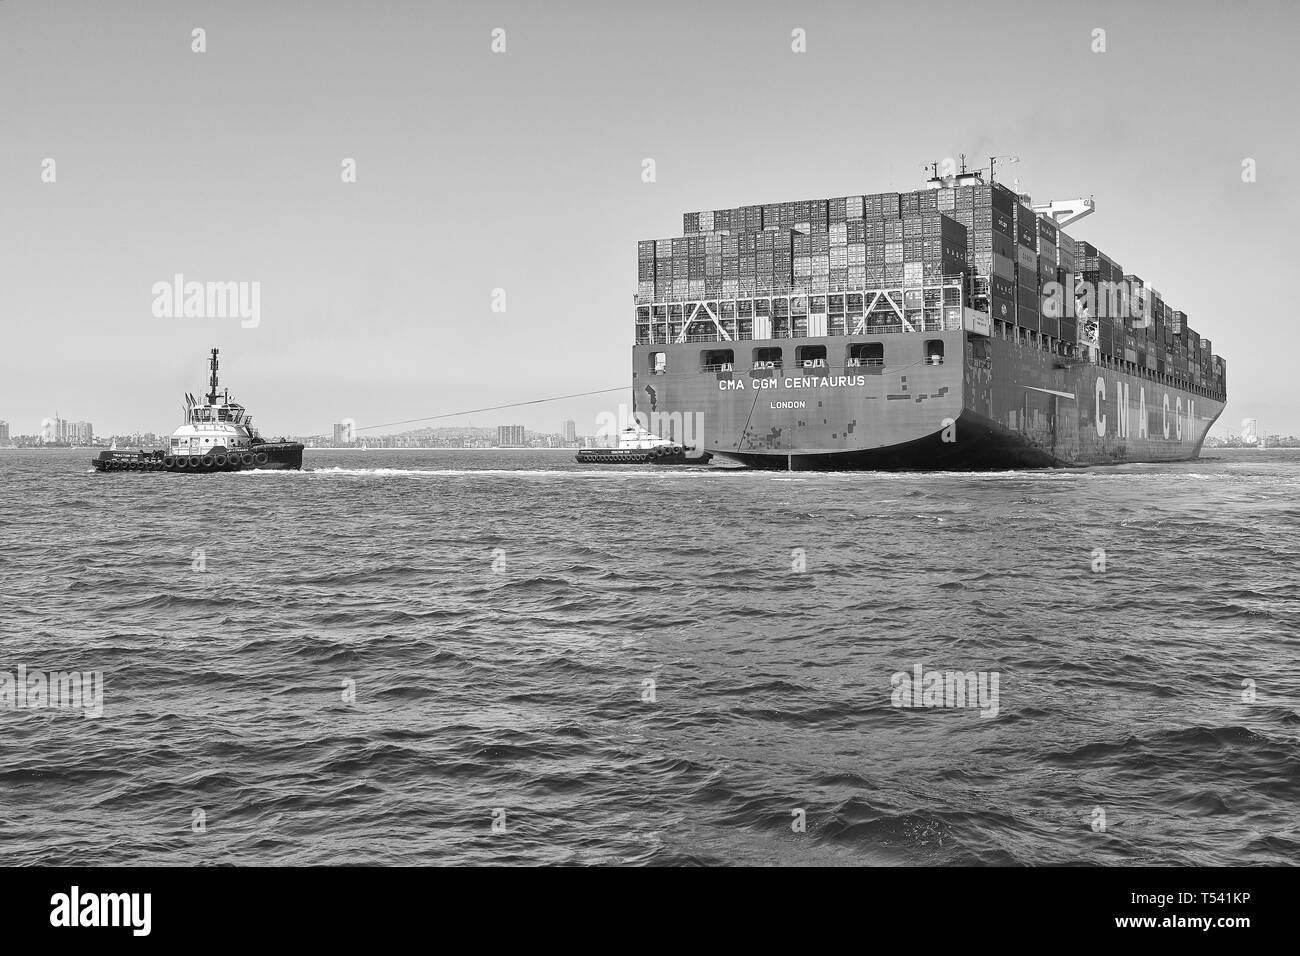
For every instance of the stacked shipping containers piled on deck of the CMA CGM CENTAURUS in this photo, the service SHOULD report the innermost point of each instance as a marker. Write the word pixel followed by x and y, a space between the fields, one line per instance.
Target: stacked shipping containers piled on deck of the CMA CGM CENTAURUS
pixel 985 232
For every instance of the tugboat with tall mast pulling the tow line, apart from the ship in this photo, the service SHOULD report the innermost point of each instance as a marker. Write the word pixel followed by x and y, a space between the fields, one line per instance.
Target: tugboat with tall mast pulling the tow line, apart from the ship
pixel 218 435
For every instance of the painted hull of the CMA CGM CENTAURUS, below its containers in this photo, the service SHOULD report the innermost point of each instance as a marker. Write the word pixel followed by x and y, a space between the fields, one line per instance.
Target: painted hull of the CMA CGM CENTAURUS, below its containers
pixel 993 404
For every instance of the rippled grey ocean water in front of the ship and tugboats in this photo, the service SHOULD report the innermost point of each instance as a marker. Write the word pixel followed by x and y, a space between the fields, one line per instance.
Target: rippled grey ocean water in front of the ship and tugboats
pixel 436 657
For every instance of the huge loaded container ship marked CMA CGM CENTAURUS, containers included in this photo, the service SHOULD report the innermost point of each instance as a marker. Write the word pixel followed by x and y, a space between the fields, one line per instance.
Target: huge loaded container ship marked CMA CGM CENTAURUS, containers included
pixel 956 327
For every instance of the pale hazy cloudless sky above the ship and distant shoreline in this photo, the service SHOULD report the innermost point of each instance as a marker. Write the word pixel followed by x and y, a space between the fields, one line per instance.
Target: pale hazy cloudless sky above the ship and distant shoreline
pixel 523 171
